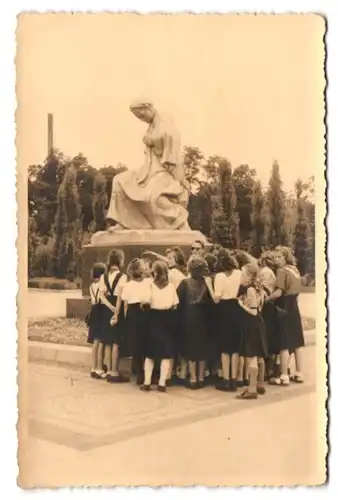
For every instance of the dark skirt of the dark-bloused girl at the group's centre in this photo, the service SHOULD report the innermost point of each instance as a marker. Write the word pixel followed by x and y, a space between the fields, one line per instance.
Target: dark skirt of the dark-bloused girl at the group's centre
pixel 195 332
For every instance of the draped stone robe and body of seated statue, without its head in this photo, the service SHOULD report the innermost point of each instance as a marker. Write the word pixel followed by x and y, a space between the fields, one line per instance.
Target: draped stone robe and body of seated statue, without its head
pixel 153 196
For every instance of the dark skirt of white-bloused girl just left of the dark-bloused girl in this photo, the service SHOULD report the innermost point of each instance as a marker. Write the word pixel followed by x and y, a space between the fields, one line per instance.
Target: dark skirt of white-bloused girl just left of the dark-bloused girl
pixel 160 337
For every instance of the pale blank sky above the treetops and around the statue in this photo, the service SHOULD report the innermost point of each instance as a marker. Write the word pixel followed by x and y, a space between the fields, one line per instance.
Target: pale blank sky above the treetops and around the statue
pixel 246 87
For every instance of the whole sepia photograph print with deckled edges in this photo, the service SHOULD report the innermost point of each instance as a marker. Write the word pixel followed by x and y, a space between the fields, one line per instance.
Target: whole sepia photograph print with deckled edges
pixel 171 306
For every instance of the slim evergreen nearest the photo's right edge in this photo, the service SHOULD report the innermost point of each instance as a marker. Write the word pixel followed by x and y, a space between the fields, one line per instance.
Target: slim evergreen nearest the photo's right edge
pixel 302 232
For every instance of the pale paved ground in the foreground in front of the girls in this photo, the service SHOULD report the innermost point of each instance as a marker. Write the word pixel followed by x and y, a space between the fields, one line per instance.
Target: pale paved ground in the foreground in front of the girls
pixel 83 431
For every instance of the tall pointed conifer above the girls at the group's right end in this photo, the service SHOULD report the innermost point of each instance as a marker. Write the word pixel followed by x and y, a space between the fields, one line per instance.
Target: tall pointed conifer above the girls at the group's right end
pixel 276 208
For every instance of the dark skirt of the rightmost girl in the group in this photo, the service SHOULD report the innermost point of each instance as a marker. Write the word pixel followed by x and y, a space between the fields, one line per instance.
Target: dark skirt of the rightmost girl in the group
pixel 291 334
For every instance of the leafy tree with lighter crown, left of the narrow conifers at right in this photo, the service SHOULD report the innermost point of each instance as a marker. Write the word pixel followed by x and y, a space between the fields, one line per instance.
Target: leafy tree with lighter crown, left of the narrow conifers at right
pixel 244 183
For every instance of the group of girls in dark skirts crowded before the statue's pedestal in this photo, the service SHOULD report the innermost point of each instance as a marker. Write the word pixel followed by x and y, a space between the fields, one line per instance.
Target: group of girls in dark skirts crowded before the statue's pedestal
pixel 224 319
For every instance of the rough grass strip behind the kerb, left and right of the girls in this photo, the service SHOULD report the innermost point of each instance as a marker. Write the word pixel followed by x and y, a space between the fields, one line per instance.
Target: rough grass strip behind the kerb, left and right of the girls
pixel 74 331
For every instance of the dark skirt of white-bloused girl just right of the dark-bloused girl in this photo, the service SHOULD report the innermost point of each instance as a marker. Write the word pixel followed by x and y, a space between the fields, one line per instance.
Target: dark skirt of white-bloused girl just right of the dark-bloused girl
pixel 228 314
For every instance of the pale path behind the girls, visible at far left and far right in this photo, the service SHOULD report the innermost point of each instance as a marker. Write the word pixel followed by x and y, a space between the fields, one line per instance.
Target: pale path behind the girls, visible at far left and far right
pixel 52 304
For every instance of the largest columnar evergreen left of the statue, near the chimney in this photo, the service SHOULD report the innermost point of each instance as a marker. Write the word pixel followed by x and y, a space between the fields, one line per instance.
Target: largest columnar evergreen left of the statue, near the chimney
pixel 67 226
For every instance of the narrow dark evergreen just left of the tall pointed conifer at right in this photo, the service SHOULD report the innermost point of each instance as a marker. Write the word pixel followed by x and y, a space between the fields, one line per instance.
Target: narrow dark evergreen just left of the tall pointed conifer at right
pixel 258 221
